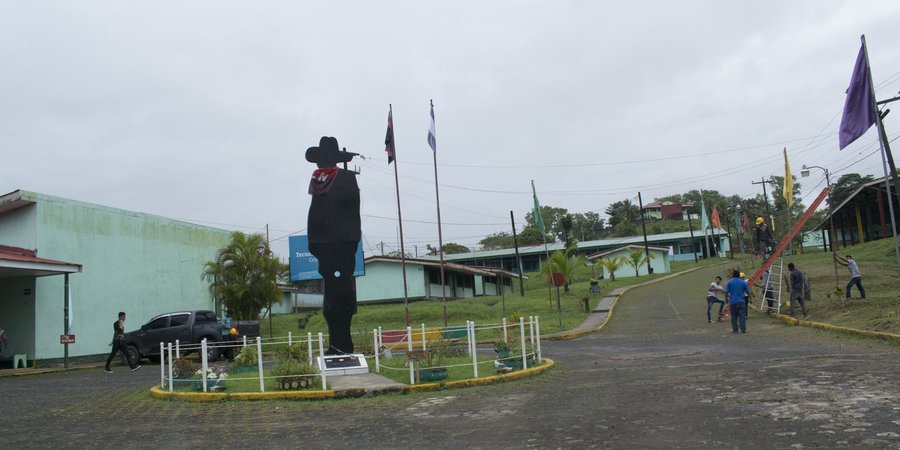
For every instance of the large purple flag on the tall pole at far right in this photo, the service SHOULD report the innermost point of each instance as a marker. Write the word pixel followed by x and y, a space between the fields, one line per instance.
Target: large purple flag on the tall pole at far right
pixel 859 109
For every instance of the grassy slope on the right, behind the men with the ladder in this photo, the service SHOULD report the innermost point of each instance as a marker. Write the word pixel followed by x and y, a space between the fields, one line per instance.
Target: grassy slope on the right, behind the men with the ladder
pixel 880 311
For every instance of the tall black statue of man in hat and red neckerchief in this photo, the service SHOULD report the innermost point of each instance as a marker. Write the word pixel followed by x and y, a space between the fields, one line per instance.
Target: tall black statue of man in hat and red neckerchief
pixel 334 232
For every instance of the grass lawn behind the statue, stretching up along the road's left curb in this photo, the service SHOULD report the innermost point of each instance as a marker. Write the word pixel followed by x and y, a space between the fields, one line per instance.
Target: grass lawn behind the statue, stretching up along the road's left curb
pixel 482 310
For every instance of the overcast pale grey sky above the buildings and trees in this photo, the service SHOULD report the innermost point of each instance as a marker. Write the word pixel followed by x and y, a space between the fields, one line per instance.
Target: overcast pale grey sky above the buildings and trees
pixel 202 110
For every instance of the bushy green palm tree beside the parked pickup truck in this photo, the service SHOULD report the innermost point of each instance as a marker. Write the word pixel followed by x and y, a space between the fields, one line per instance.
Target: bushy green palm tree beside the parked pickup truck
pixel 244 275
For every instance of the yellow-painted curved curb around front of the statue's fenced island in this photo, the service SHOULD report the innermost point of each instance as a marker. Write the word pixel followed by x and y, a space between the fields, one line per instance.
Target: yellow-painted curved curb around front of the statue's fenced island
pixel 205 397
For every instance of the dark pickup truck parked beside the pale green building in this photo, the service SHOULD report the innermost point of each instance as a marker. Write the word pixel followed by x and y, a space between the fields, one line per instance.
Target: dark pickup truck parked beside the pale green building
pixel 188 327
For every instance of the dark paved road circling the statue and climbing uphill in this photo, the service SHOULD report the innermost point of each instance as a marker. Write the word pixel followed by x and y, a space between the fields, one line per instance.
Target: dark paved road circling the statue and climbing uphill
pixel 659 376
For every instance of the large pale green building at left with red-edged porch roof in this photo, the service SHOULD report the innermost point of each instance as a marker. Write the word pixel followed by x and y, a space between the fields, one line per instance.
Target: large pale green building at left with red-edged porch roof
pixel 114 260
